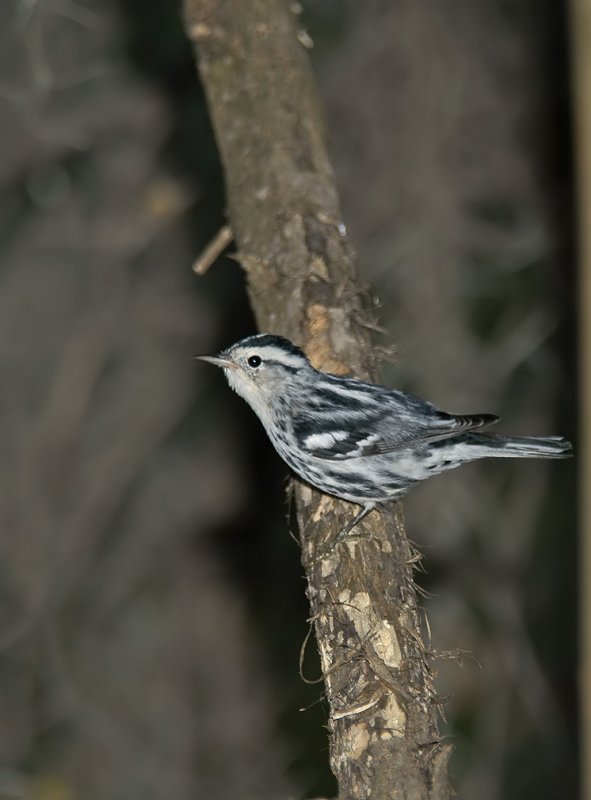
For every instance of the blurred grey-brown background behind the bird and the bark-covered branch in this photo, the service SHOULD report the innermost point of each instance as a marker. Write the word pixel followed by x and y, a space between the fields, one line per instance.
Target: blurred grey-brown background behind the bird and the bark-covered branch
pixel 152 604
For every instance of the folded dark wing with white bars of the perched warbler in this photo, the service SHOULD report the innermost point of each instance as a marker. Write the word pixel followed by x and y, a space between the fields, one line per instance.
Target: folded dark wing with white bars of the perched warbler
pixel 359 427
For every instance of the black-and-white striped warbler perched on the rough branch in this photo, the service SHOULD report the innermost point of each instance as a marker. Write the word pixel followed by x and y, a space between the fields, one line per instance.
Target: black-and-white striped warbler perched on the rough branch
pixel 355 440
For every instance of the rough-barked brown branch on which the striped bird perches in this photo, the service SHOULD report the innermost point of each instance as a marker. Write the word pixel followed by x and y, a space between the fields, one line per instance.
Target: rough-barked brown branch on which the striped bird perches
pixel 284 212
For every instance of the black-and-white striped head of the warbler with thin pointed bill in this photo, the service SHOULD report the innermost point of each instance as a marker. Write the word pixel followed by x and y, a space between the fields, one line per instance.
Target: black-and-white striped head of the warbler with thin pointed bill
pixel 261 366
